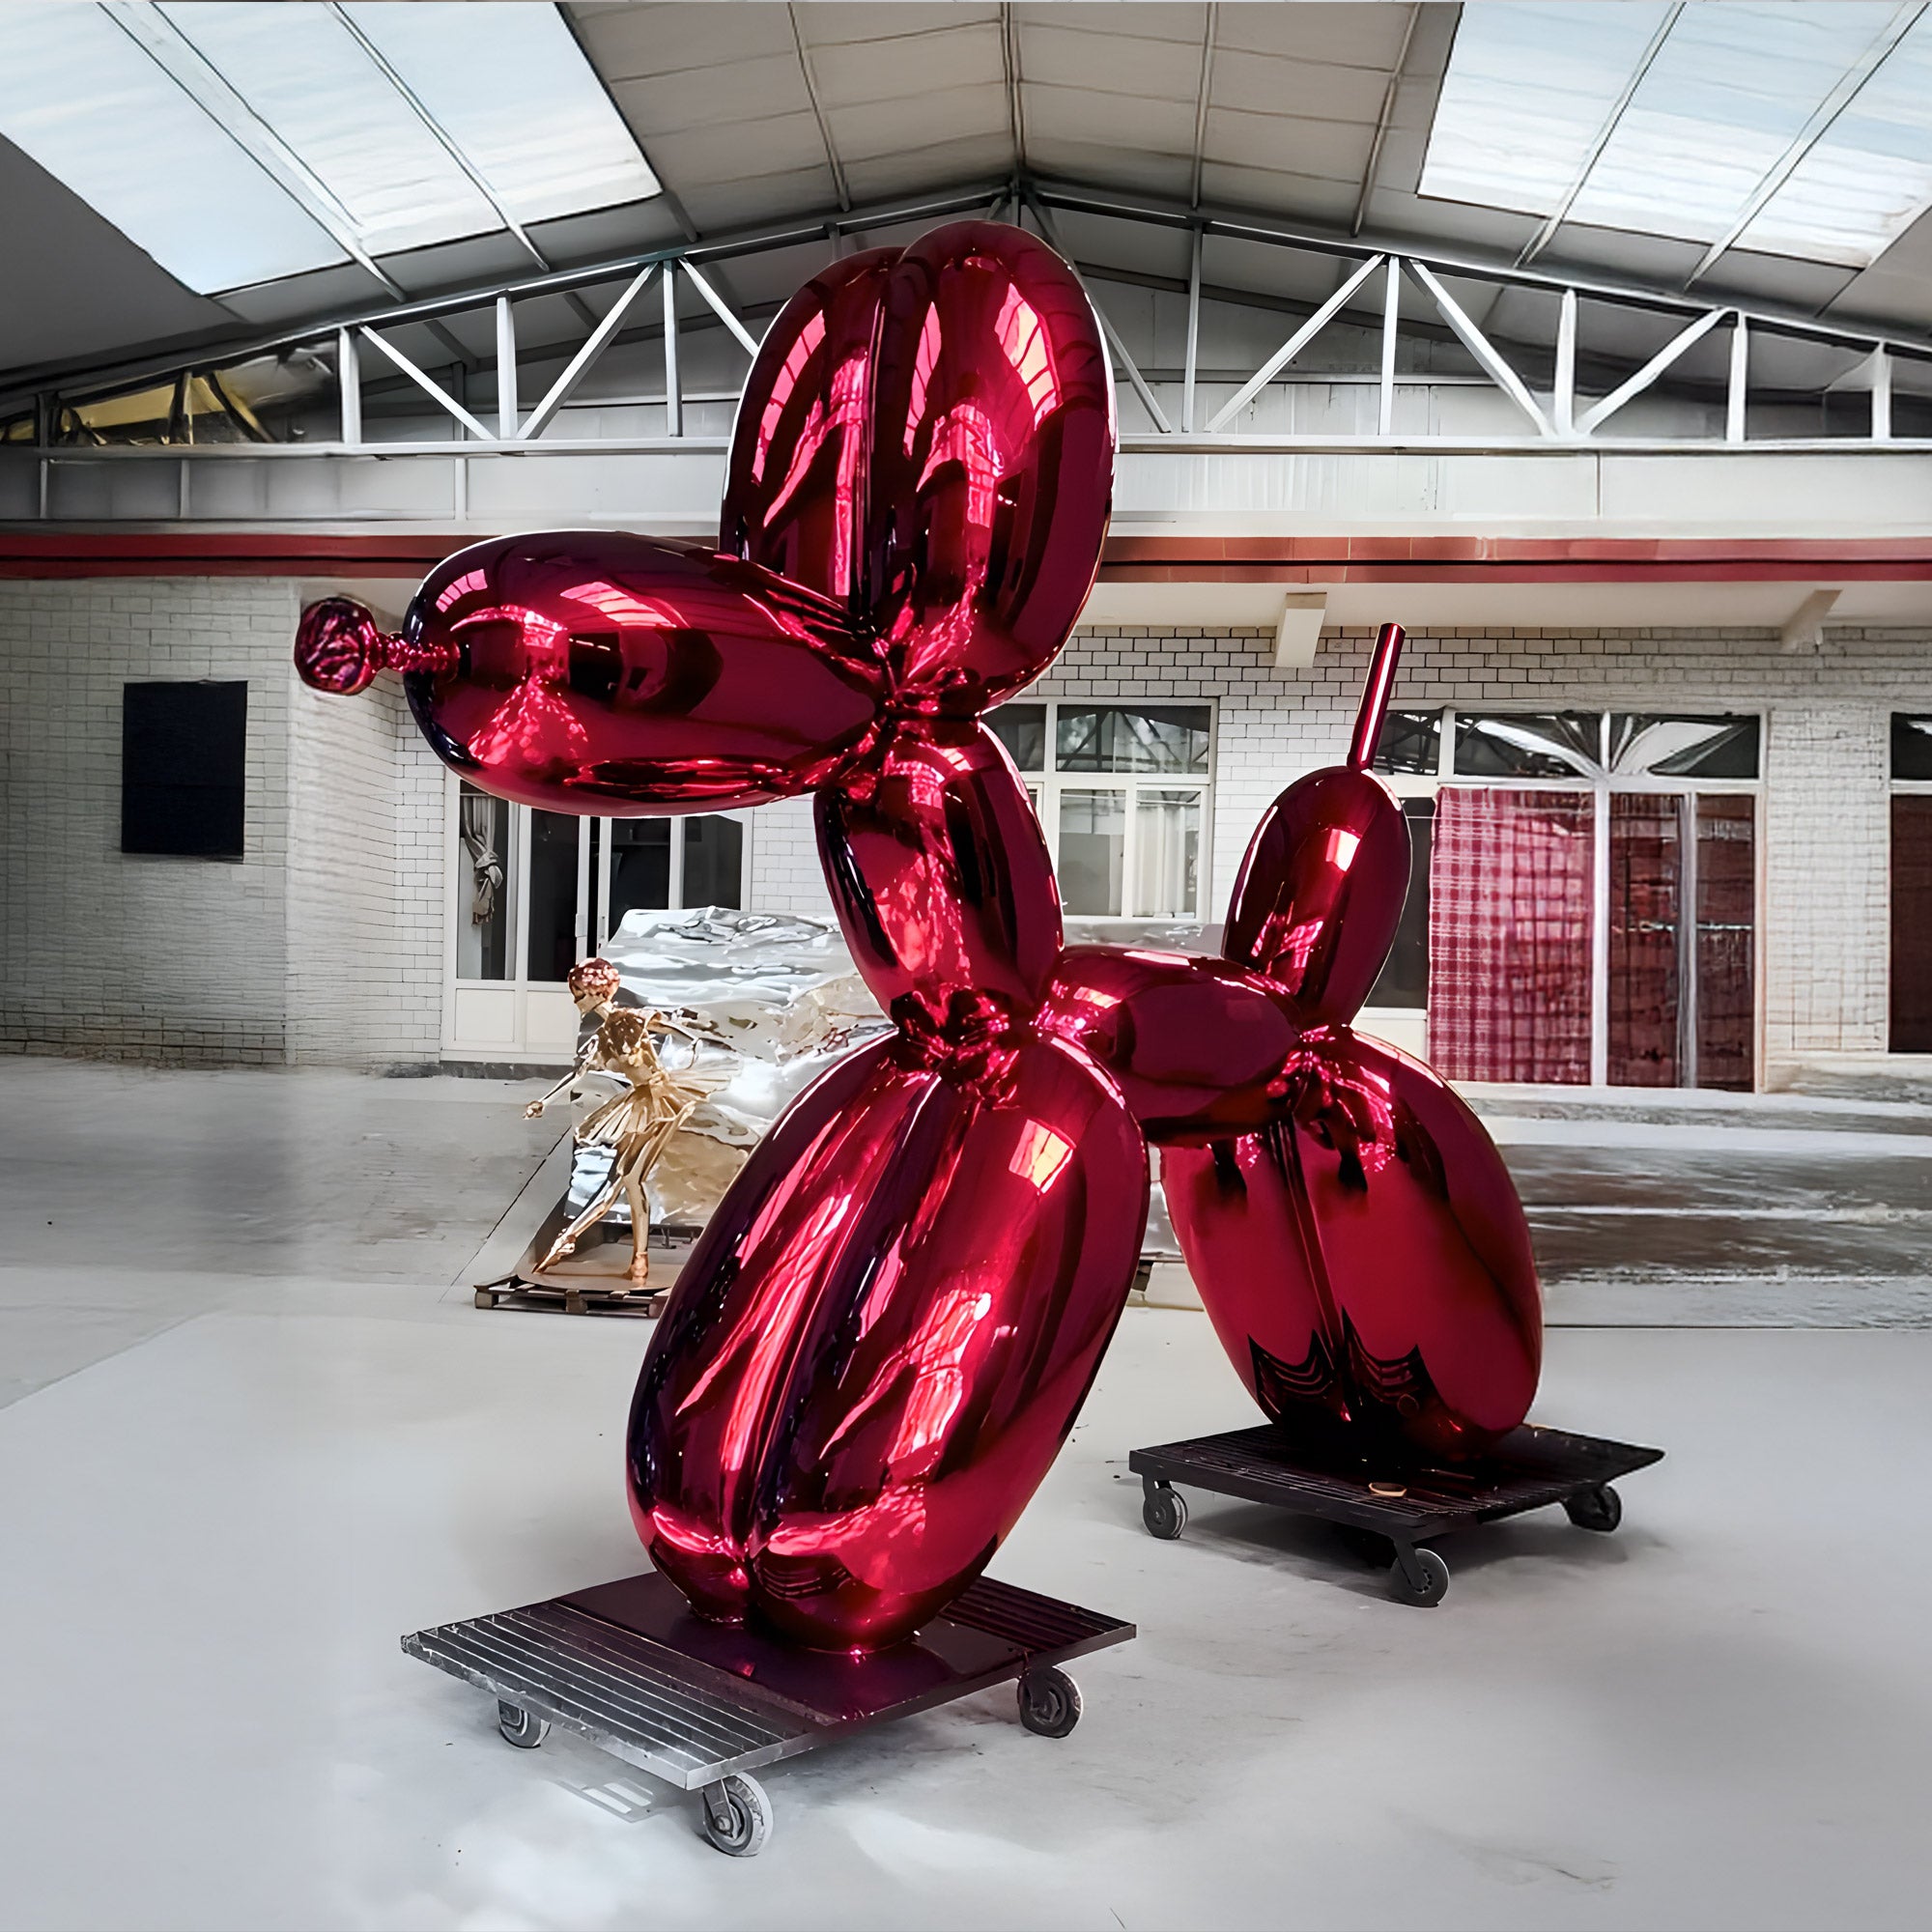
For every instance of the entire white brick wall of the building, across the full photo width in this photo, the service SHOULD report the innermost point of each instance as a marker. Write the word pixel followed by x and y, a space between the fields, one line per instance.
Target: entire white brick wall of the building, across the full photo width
pixel 326 942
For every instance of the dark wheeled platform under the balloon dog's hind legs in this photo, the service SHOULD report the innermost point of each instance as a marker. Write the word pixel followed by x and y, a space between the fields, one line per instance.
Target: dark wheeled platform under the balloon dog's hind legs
pixel 1392 1520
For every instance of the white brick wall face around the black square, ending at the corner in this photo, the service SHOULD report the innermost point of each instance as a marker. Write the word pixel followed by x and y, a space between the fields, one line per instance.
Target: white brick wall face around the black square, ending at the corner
pixel 156 959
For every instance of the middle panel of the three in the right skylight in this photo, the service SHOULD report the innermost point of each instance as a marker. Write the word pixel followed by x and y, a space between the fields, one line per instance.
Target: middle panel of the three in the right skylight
pixel 1724 101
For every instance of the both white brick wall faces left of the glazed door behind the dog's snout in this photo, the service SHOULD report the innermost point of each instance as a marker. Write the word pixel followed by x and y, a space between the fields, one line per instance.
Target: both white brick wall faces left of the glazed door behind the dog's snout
pixel 322 944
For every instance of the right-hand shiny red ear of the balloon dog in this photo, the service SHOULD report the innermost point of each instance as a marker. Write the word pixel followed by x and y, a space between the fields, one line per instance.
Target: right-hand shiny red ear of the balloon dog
pixel 992 463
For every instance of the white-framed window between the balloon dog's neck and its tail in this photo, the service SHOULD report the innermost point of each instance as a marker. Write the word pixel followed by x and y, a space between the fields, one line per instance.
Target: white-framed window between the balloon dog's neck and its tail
pixel 1122 793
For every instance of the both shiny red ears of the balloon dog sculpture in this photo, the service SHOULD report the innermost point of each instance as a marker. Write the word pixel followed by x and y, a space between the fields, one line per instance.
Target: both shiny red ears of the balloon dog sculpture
pixel 928 438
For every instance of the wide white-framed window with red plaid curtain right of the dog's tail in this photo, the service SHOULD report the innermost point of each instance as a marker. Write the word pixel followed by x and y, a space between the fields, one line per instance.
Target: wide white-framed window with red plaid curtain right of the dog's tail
pixel 1583 890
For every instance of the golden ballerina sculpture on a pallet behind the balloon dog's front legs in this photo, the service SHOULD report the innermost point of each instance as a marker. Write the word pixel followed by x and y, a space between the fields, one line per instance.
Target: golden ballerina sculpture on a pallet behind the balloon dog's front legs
pixel 637 1123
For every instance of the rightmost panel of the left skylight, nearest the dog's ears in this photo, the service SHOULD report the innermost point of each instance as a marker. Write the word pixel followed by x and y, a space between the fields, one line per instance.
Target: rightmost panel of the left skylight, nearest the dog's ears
pixel 561 150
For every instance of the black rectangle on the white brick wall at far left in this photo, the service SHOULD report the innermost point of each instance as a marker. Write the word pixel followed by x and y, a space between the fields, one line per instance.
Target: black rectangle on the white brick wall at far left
pixel 185 754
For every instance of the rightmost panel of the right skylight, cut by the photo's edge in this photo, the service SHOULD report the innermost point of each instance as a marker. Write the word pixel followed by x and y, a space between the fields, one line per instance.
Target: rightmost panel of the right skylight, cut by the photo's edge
pixel 1871 175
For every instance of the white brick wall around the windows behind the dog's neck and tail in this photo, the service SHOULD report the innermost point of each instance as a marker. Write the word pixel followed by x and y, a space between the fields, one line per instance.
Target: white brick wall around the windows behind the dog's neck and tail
pixel 1825 917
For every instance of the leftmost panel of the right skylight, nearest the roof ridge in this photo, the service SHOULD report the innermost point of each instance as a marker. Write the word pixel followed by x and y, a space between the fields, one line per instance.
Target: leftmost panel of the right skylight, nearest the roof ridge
pixel 1527 96
